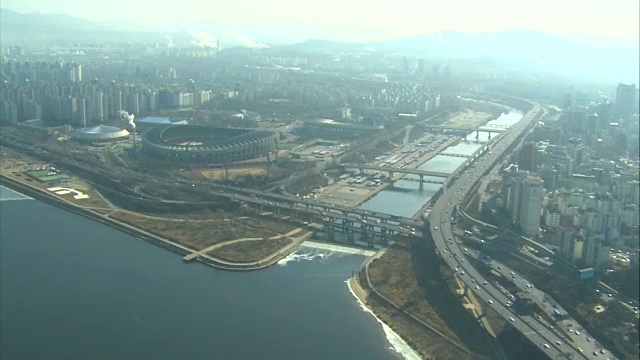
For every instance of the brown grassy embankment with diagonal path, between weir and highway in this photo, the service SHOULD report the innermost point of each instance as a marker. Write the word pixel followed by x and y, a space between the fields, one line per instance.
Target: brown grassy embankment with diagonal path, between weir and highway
pixel 414 281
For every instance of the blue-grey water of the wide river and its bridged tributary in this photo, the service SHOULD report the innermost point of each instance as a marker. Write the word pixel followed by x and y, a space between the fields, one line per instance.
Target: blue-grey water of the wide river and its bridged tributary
pixel 72 288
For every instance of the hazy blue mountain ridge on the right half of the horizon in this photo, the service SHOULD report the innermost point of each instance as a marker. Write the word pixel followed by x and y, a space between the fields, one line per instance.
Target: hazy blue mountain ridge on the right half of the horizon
pixel 575 56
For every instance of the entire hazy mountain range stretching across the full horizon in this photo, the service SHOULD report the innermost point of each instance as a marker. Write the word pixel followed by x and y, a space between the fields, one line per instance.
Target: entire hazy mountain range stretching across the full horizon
pixel 602 57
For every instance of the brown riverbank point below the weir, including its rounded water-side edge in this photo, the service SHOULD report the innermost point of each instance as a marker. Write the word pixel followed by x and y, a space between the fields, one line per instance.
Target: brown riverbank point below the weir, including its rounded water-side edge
pixel 420 315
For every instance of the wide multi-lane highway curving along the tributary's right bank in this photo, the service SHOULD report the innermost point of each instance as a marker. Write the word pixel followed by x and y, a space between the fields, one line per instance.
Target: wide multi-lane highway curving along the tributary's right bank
pixel 442 233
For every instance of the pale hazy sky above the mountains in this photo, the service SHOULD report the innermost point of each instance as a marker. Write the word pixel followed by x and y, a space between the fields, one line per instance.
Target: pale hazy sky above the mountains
pixel 360 19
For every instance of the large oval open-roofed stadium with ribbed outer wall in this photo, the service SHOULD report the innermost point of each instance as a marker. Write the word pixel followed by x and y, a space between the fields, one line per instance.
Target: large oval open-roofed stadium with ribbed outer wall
pixel 197 143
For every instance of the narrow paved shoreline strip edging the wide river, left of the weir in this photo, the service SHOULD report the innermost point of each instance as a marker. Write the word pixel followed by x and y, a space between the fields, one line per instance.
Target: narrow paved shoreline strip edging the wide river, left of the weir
pixel 147 236
